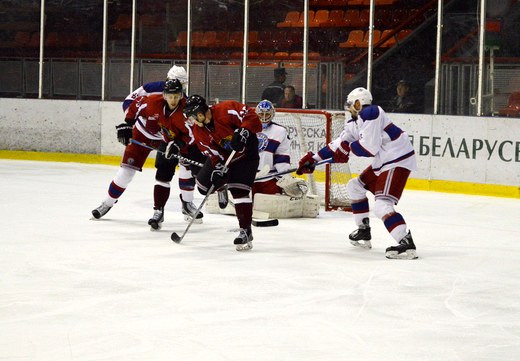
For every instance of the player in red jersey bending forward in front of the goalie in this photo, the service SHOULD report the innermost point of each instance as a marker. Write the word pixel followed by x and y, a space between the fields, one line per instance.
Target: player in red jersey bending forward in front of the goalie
pixel 219 130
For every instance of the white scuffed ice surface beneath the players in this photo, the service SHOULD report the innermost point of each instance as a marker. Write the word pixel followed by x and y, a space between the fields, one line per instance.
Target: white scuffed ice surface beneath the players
pixel 72 288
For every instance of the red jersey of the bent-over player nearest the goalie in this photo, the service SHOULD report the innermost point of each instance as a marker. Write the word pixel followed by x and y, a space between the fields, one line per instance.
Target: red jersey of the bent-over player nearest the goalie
pixel 213 139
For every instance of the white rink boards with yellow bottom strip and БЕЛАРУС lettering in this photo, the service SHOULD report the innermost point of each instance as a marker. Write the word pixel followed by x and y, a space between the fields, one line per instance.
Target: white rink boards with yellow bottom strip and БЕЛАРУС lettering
pixel 477 155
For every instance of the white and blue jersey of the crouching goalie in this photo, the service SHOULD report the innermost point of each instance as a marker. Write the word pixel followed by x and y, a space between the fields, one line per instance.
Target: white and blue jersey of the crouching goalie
pixel 274 148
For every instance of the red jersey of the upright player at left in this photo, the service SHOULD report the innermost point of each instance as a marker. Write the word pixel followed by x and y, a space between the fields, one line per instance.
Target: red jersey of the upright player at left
pixel 155 120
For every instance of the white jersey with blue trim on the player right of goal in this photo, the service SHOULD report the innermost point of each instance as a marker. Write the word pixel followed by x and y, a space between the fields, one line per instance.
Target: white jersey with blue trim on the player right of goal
pixel 372 134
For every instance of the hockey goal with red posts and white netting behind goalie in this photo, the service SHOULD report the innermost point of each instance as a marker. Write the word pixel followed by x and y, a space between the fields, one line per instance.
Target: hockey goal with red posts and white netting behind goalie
pixel 311 130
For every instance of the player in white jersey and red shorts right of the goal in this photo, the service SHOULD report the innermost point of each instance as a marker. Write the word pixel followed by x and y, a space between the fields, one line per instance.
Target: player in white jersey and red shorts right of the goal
pixel 370 133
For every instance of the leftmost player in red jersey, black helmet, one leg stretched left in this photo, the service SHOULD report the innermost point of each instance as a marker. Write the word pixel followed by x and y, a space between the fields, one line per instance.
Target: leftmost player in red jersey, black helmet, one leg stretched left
pixel 151 120
